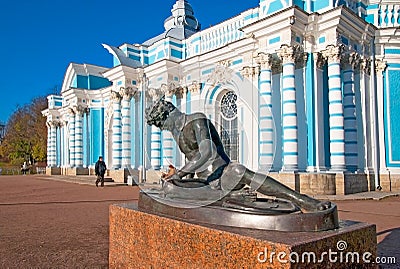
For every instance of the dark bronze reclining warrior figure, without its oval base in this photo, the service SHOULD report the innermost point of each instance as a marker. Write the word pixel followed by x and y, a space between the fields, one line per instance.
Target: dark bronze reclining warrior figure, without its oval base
pixel 206 159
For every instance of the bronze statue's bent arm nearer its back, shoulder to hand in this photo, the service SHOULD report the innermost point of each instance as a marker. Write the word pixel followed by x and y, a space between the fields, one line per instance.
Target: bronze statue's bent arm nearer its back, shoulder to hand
pixel 203 157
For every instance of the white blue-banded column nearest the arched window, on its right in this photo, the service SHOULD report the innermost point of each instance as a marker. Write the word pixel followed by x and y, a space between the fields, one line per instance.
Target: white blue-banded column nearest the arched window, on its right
pixel 266 143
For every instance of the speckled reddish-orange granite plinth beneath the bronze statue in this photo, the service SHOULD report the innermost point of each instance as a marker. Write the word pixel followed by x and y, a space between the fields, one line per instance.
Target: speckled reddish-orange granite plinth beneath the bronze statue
pixel 142 240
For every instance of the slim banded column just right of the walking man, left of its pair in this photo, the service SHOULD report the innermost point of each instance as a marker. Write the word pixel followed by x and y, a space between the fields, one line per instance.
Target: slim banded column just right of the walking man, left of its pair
pixel 116 130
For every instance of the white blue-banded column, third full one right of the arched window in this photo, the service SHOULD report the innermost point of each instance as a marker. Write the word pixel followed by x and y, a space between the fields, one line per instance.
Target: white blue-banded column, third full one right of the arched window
pixel 336 116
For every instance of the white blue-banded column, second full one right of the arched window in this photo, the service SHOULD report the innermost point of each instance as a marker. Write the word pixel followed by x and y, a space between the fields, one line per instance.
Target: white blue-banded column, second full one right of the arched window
pixel 289 109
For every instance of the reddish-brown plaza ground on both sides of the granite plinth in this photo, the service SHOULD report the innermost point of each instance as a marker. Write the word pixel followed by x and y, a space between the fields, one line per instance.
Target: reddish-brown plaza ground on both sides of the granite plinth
pixel 47 223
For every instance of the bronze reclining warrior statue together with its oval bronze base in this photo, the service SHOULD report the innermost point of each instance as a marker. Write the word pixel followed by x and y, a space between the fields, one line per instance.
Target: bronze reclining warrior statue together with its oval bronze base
pixel 212 189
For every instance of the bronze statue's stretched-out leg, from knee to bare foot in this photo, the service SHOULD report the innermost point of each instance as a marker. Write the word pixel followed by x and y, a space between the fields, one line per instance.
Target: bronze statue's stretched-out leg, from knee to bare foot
pixel 235 175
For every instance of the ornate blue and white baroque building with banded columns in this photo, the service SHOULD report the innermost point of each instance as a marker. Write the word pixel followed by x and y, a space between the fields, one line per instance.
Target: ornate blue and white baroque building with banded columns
pixel 305 90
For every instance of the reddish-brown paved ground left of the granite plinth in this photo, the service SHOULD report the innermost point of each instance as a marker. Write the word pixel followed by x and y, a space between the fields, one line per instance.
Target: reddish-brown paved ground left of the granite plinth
pixel 53 224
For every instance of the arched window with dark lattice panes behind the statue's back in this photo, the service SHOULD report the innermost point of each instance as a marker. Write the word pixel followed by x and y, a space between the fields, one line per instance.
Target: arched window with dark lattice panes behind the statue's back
pixel 229 125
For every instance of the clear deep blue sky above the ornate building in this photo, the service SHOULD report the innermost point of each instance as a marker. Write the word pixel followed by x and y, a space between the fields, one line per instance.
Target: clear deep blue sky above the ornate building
pixel 40 38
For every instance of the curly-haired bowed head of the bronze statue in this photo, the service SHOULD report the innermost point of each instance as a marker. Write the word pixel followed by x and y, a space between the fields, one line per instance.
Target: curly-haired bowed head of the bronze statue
pixel 158 113
